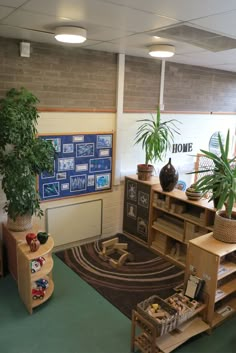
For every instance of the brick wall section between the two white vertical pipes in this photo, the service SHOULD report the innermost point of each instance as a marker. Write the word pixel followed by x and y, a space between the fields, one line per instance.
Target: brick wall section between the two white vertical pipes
pixel 142 83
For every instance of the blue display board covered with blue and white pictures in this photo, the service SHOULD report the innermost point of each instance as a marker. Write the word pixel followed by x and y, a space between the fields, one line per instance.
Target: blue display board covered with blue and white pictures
pixel 83 165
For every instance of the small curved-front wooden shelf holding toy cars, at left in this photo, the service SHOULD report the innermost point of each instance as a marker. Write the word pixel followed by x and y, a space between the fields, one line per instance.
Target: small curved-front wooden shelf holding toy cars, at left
pixel 35 283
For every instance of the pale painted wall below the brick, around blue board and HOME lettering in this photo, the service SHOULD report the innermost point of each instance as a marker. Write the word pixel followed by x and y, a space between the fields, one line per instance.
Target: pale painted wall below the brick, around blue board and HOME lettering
pixel 195 128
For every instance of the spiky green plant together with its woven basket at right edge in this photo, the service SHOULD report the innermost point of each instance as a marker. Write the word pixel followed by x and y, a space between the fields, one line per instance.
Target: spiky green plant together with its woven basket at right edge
pixel 221 184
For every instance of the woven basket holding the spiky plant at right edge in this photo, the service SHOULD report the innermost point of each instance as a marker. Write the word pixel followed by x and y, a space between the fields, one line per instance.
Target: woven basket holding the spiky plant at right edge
pixel 225 228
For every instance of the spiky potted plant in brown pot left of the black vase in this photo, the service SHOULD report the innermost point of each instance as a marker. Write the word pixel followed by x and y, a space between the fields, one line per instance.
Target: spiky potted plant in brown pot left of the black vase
pixel 155 136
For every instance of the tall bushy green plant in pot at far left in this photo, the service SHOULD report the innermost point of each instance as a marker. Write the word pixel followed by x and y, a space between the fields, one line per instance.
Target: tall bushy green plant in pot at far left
pixel 22 157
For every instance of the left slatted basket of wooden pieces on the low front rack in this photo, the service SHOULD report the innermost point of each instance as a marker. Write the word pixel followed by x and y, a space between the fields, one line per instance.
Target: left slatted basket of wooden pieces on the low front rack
pixel 167 324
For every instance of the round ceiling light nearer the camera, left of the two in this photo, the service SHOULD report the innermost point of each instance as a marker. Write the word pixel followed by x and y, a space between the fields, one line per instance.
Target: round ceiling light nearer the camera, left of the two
pixel 69 34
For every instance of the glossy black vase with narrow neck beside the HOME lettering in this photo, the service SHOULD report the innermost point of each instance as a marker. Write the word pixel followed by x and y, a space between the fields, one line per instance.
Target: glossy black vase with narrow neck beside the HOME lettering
pixel 168 177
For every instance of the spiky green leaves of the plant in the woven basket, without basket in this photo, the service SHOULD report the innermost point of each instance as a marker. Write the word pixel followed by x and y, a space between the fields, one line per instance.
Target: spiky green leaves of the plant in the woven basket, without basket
pixel 221 180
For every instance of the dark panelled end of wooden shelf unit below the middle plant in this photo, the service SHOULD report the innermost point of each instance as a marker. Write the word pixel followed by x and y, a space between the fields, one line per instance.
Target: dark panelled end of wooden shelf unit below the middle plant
pixel 136 214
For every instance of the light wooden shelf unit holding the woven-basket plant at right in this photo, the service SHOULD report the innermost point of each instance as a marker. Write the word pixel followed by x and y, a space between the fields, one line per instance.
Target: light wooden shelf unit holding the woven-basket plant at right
pixel 215 262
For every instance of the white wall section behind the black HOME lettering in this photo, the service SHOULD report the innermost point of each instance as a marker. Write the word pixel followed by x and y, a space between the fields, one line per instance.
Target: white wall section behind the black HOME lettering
pixel 194 128
